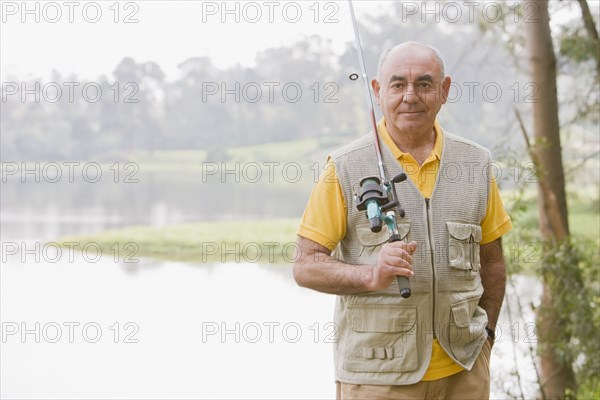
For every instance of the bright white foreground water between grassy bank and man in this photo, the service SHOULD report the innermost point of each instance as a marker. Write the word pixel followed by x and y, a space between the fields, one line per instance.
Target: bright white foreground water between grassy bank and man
pixel 193 331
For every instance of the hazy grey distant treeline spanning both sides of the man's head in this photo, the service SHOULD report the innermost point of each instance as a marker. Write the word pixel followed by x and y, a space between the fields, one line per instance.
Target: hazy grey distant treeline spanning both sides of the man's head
pixel 297 91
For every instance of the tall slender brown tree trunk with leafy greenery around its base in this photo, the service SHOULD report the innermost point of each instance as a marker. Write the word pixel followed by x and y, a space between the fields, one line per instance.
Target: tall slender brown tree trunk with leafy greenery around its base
pixel 560 279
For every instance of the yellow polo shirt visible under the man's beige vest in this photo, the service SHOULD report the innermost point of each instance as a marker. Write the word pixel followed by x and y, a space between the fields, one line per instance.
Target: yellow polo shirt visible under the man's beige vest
pixel 324 219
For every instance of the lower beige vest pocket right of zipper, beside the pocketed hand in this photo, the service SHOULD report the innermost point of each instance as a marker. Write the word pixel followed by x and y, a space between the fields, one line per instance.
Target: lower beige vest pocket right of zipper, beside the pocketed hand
pixel 466 328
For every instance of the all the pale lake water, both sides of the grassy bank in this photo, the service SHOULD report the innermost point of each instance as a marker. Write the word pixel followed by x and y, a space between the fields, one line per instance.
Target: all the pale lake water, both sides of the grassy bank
pixel 81 328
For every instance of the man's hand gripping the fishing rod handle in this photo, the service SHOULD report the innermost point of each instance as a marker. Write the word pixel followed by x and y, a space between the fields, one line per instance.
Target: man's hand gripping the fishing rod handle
pixel 394 259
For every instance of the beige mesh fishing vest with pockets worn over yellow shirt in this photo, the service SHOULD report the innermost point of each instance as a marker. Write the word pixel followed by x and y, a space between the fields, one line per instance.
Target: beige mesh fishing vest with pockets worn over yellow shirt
pixel 383 338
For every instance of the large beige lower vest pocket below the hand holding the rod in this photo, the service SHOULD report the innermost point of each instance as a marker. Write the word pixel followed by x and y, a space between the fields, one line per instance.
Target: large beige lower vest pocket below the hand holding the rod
pixel 383 339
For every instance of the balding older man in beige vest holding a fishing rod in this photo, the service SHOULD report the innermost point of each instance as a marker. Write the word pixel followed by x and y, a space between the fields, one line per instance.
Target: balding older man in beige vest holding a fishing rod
pixel 433 344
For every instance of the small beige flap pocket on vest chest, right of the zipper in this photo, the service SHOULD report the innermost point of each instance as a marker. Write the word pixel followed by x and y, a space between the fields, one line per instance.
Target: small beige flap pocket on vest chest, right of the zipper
pixel 463 246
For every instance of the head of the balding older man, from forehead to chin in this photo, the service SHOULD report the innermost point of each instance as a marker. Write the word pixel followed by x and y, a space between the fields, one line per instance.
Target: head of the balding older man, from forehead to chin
pixel 411 90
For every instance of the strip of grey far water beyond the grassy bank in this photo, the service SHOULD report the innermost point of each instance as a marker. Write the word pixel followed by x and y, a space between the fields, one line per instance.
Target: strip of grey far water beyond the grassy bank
pixel 45 211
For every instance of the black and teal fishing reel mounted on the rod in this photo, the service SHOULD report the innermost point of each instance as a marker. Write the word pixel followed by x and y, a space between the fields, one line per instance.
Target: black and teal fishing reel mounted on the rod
pixel 376 199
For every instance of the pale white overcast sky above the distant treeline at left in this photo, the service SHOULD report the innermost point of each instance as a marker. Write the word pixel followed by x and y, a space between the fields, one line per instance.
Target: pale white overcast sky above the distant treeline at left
pixel 63 35
